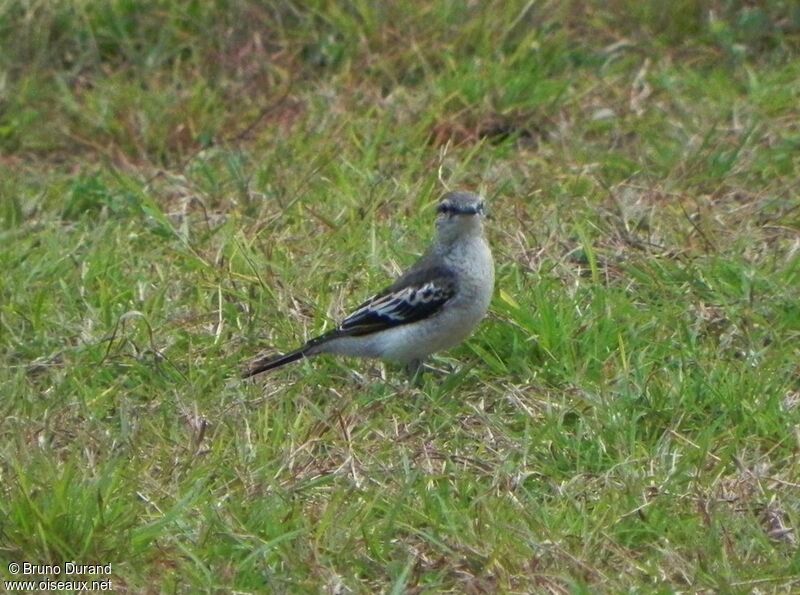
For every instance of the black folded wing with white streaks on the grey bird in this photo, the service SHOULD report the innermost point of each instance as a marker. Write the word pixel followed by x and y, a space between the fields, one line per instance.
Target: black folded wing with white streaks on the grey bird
pixel 416 295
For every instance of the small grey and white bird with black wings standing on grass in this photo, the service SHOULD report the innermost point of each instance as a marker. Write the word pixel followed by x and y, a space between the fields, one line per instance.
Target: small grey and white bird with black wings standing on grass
pixel 433 306
